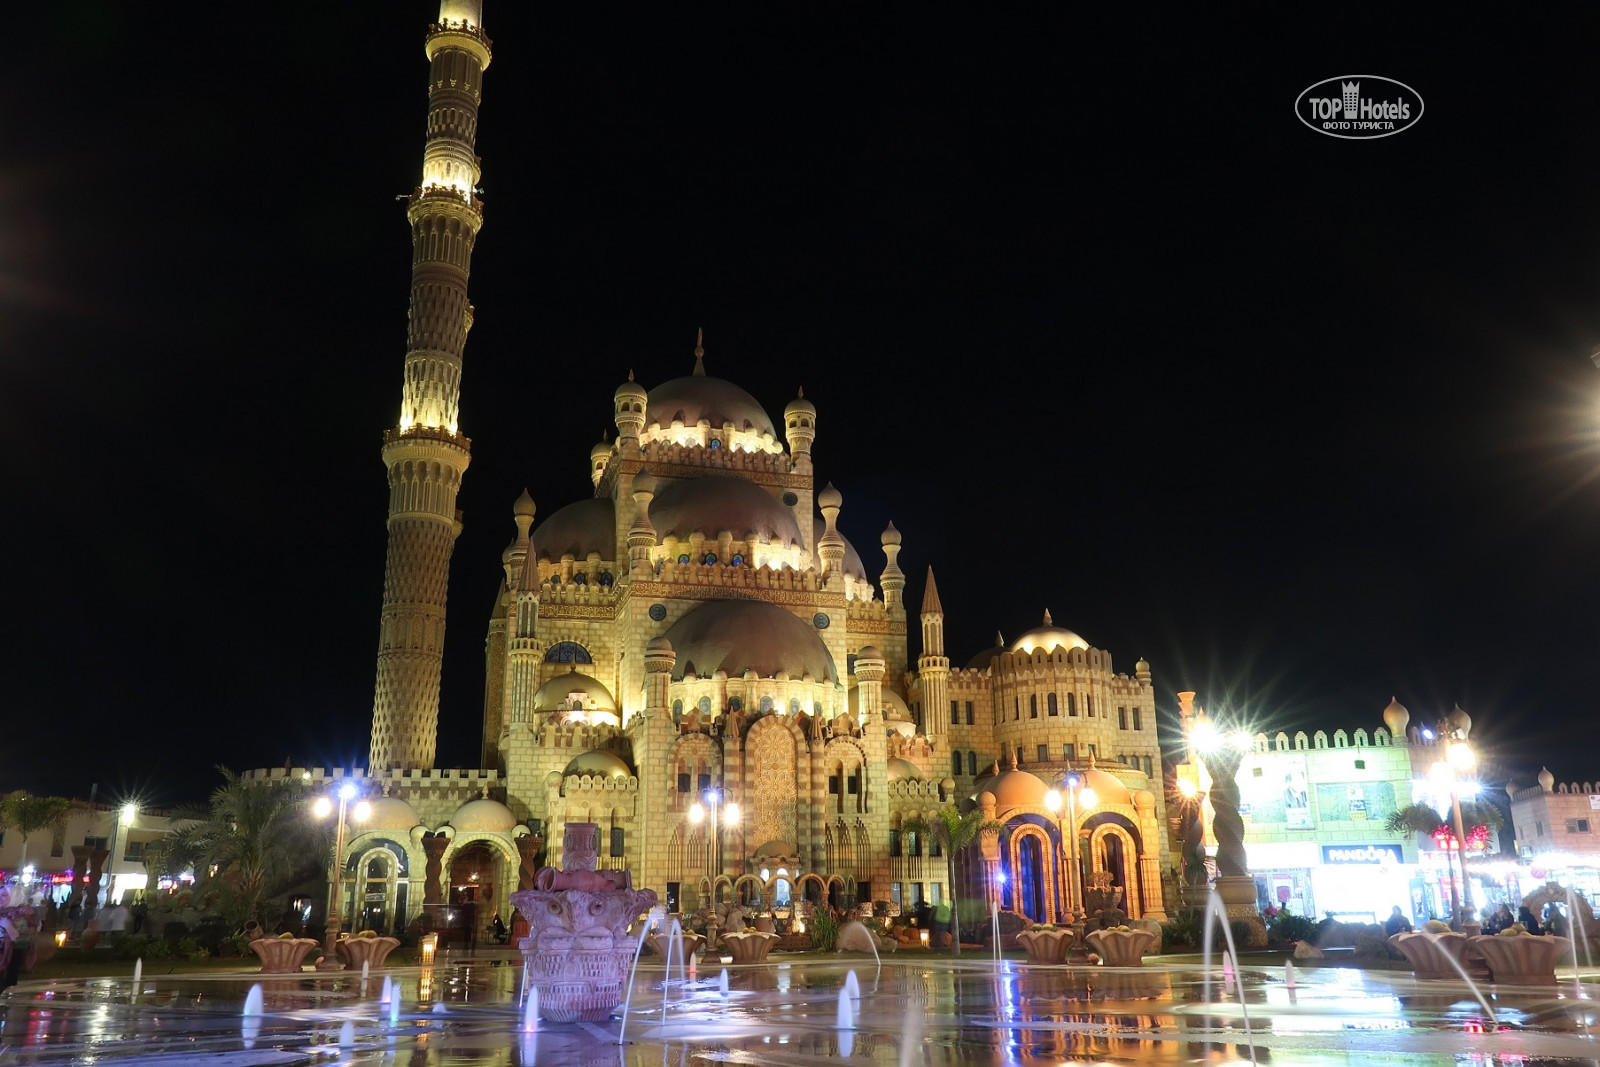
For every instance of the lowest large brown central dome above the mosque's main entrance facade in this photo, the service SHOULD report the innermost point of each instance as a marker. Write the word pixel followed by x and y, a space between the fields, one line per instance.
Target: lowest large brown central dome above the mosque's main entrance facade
pixel 738 636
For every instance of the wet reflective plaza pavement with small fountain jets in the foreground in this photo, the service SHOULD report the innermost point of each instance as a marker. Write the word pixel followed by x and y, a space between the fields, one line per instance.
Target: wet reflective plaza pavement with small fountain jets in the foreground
pixel 910 1012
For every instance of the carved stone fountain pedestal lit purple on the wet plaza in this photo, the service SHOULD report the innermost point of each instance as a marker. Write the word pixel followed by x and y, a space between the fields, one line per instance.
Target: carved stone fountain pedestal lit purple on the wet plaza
pixel 578 949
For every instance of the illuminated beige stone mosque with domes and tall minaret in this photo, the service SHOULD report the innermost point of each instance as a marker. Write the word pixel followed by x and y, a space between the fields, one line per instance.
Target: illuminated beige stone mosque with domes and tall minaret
pixel 700 661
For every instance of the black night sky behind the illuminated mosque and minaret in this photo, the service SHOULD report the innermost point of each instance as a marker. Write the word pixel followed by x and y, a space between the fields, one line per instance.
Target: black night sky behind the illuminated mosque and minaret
pixel 1084 310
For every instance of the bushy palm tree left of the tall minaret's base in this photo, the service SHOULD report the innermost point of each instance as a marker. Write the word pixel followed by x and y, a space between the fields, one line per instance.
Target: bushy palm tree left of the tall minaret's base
pixel 252 841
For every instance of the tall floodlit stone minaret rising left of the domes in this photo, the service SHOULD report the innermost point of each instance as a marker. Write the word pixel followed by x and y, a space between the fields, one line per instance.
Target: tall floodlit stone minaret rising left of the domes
pixel 426 454
